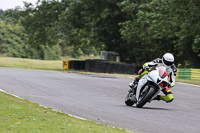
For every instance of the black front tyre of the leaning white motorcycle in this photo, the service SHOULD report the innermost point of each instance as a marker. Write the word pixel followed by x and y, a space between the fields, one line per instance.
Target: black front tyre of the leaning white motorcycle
pixel 145 97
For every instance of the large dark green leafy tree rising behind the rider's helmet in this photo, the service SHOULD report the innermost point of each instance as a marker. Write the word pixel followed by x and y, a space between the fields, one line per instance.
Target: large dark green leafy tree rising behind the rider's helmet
pixel 160 26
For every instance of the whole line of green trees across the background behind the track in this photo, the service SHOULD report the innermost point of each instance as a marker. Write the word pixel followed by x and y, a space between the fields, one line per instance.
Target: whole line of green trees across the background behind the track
pixel 138 30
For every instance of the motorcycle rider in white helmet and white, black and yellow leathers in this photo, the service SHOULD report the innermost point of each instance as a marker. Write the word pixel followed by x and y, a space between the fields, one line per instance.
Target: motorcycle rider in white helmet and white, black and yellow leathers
pixel 167 61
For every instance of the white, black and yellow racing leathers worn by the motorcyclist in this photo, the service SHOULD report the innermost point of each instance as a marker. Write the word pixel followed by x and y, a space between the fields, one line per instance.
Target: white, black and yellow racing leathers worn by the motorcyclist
pixel 172 76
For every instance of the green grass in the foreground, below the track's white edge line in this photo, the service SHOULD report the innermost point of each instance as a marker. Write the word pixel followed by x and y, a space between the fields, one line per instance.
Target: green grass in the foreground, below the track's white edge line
pixel 21 116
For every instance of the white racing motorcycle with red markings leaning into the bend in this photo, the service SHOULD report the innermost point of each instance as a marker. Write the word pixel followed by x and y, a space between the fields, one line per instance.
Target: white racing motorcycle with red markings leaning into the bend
pixel 148 87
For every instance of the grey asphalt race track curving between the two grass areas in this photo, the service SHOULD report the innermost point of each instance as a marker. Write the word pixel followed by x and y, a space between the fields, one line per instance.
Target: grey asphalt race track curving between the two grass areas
pixel 101 98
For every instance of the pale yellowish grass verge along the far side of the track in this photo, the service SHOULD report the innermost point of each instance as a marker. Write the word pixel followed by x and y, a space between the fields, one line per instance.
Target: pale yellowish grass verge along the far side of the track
pixel 57 66
